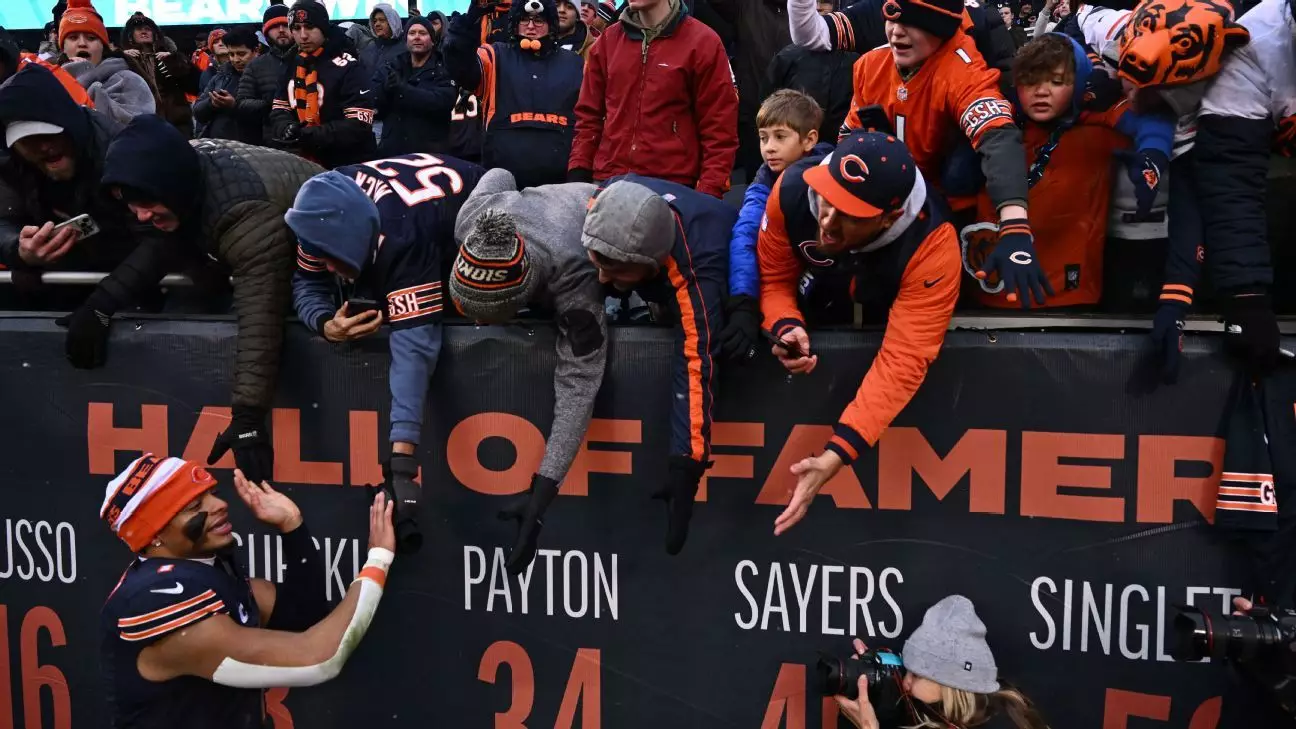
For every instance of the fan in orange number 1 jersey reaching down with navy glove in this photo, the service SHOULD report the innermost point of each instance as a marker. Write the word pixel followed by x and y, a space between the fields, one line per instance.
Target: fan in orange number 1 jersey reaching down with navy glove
pixel 931 86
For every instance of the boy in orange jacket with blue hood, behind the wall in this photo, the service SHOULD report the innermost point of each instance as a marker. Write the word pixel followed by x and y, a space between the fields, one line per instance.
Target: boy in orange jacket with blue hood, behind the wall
pixel 1069 172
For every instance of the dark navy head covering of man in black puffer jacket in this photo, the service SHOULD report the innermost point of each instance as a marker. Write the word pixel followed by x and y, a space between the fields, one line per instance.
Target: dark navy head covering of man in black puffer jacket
pixel 152 161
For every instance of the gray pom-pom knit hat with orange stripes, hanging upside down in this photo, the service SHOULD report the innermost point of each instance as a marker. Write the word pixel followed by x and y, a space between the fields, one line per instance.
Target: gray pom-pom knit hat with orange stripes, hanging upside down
pixel 493 277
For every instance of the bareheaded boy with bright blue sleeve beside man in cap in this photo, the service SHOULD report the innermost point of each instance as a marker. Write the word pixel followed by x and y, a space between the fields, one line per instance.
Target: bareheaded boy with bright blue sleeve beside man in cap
pixel 789 124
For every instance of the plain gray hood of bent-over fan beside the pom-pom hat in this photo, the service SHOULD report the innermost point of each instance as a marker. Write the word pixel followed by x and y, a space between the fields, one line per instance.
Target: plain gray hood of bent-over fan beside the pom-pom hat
pixel 631 224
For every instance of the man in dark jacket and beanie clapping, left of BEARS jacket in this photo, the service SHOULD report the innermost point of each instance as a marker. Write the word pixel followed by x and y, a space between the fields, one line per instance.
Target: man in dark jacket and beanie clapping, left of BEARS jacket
pixel 414 95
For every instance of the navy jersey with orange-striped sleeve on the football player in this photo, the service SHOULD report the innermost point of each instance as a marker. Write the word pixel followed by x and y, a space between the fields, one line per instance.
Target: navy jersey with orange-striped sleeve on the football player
pixel 154 600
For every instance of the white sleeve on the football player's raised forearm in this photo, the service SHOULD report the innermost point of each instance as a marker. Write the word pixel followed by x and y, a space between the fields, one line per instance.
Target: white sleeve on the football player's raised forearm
pixel 253 676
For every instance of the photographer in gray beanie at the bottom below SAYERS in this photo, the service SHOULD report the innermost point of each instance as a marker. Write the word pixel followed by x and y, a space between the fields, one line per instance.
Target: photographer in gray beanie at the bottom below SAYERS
pixel 951 680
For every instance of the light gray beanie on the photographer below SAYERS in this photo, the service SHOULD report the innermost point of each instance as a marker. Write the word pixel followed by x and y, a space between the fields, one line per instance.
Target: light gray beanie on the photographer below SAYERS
pixel 949 648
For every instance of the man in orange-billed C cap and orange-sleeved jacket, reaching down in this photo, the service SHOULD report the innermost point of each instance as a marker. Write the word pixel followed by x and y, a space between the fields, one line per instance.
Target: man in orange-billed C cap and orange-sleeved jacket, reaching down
pixel 860 228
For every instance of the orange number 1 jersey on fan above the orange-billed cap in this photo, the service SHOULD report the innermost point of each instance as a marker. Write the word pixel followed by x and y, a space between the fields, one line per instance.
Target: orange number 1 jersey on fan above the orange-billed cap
pixel 952 93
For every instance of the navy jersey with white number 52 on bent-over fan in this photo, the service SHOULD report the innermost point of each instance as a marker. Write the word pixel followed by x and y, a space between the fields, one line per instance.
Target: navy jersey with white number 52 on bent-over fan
pixel 418 199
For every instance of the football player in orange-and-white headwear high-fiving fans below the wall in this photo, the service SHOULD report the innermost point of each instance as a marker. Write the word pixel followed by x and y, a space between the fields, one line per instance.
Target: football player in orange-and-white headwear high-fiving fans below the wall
pixel 187 638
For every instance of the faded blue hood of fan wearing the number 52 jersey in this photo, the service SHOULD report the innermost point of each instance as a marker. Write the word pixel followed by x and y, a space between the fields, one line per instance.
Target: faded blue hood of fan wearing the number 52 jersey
pixel 334 219
